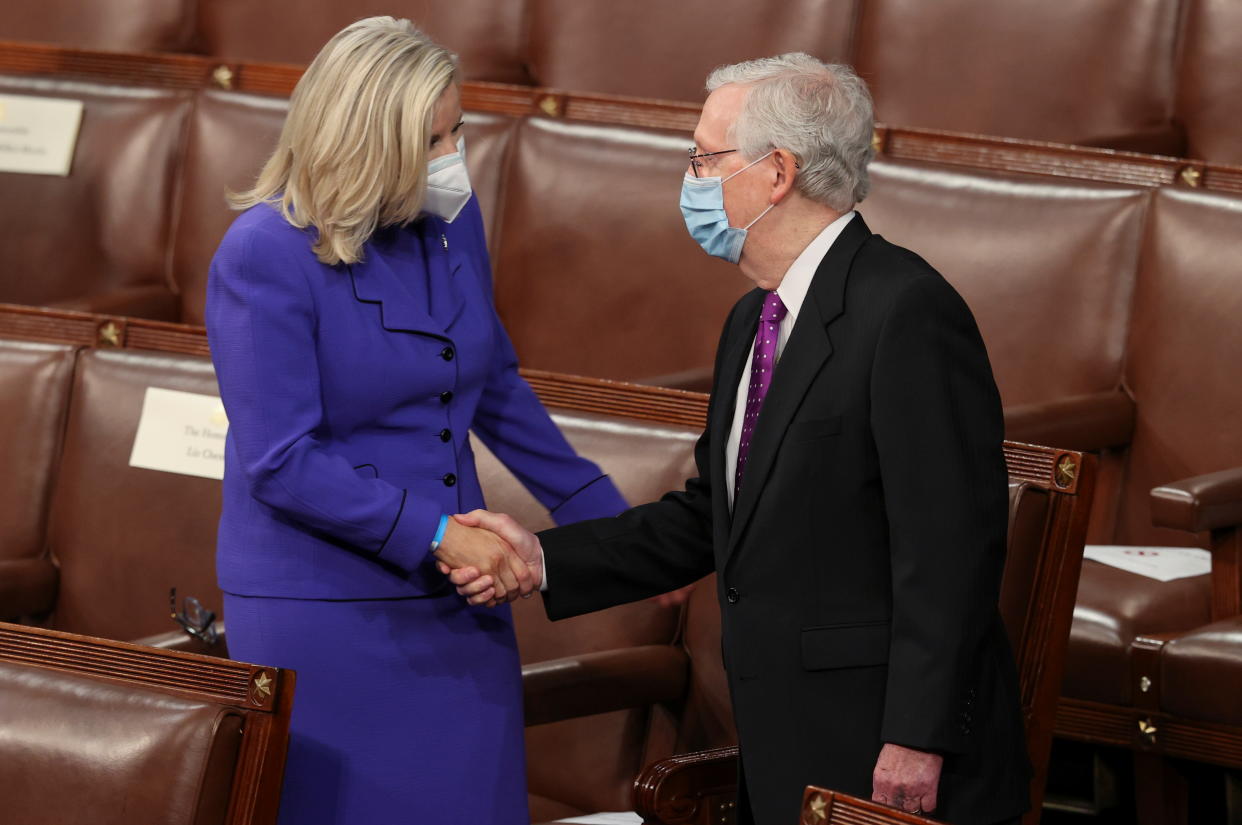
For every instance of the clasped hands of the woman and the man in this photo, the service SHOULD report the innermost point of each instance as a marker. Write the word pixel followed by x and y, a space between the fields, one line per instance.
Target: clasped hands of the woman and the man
pixel 491 558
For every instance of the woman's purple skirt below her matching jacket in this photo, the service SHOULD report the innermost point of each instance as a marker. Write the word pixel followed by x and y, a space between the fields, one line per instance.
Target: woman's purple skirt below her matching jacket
pixel 406 711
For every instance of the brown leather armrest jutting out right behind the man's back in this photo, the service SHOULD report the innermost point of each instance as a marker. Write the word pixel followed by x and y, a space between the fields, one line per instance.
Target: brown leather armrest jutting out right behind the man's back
pixel 1080 423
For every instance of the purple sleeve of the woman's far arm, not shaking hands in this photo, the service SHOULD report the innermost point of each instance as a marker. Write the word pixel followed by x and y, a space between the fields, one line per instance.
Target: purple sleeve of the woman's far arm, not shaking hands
pixel 515 426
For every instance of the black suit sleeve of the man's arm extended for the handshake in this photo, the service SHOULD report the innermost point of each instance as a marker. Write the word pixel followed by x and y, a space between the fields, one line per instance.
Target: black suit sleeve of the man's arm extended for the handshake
pixel 645 551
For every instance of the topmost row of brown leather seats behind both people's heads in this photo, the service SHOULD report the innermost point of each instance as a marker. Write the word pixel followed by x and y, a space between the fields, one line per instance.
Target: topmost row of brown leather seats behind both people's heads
pixel 1157 76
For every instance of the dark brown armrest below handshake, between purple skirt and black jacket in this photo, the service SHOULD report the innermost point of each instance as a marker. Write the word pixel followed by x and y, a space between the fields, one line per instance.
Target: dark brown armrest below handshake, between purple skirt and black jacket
pixel 610 680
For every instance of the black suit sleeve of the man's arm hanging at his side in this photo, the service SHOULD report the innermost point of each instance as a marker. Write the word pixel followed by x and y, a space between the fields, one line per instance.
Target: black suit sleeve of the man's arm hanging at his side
pixel 938 429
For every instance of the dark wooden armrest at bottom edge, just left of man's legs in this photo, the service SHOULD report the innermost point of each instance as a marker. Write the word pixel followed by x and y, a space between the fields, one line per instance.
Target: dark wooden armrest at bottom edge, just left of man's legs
pixel 694 788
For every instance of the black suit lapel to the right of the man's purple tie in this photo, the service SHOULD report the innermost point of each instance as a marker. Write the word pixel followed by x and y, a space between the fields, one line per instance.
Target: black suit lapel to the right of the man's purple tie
pixel 805 353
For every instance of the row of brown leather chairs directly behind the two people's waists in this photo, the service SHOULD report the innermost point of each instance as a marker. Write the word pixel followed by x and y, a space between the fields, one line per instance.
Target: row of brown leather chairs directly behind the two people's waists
pixel 94 545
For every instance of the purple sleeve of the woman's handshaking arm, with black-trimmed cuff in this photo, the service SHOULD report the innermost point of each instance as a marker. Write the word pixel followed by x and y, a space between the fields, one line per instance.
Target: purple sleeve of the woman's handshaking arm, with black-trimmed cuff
pixel 261 325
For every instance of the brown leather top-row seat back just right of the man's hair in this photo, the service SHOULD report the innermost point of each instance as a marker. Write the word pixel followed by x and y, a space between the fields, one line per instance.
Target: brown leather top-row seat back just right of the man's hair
pixel 1097 74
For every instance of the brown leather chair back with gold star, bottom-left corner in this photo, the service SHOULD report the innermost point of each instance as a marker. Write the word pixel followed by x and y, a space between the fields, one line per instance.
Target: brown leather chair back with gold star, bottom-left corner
pixel 111 734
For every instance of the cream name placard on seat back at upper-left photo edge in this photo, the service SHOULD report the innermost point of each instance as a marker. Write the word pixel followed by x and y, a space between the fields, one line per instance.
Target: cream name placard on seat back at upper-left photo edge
pixel 38 135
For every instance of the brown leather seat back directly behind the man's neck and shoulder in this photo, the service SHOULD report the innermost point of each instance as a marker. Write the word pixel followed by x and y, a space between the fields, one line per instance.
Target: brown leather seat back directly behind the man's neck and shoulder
pixel 1038 260
